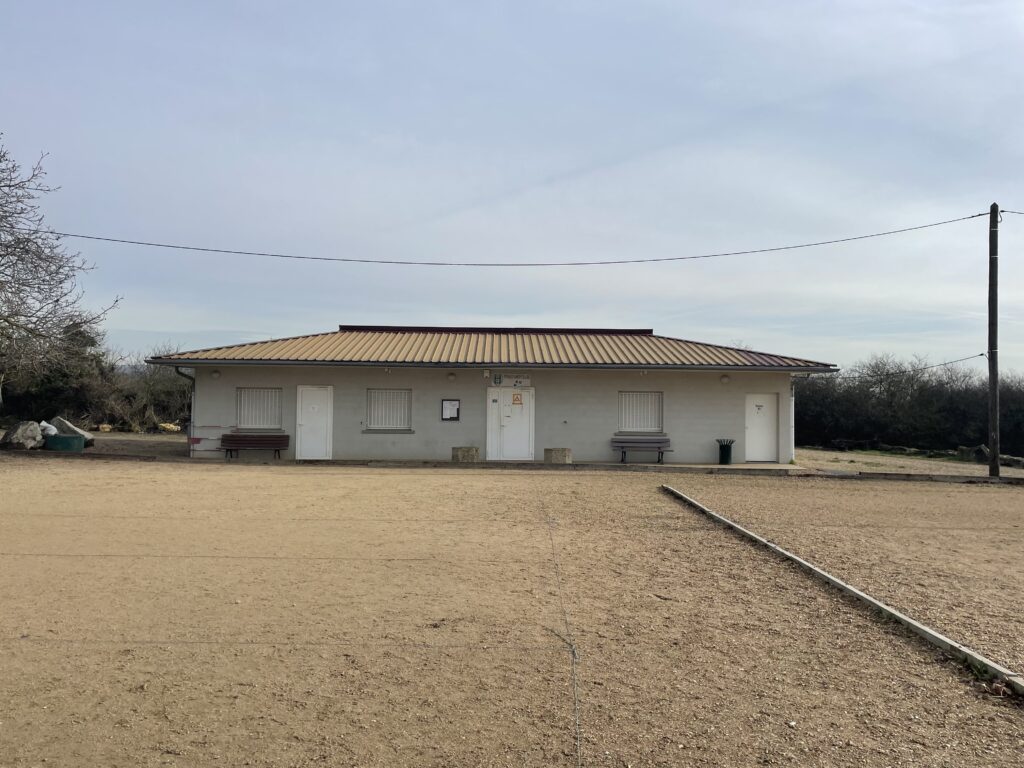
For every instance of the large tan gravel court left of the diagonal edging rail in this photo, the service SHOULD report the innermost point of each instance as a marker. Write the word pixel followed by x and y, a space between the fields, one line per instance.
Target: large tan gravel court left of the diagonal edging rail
pixel 176 615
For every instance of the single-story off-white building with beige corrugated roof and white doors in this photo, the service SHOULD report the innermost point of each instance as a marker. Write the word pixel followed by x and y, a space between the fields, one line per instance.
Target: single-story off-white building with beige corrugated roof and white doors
pixel 385 393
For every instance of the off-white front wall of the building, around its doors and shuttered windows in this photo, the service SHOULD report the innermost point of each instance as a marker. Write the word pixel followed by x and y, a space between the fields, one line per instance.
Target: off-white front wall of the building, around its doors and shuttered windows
pixel 575 409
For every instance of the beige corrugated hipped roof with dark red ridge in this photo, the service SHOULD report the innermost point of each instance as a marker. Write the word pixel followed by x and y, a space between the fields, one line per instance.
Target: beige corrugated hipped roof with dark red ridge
pixel 394 346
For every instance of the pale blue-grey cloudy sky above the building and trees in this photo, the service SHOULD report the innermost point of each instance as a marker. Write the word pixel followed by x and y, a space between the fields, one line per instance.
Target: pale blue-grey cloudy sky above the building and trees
pixel 532 132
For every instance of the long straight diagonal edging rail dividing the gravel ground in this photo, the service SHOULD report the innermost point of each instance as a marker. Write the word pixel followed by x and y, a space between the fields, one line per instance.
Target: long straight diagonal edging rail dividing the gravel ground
pixel 979 664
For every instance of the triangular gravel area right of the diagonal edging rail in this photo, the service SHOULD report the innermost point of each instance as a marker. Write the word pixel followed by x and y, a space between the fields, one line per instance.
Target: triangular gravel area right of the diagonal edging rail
pixel 950 556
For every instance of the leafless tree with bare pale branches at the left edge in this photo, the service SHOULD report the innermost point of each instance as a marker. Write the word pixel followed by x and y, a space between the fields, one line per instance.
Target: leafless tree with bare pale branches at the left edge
pixel 41 313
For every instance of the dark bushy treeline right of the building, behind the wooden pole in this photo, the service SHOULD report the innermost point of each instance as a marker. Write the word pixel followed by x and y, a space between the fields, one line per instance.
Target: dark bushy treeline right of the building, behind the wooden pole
pixel 893 402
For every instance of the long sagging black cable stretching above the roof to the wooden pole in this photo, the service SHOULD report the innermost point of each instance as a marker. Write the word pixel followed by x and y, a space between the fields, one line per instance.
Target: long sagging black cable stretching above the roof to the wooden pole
pixel 407 263
